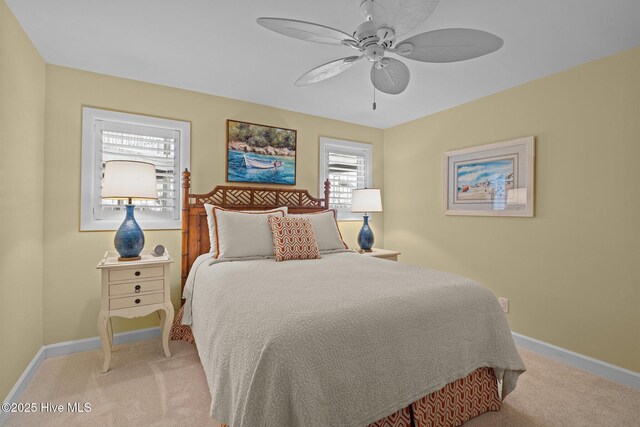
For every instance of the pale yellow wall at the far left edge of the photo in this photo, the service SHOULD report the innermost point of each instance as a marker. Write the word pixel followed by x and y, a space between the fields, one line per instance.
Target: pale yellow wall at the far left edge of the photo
pixel 22 93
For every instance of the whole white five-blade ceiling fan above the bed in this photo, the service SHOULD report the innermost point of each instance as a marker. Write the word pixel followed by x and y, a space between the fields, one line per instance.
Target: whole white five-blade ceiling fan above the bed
pixel 374 38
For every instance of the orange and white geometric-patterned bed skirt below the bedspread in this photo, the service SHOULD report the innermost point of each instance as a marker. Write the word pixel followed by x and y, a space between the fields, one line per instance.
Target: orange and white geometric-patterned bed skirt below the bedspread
pixel 453 405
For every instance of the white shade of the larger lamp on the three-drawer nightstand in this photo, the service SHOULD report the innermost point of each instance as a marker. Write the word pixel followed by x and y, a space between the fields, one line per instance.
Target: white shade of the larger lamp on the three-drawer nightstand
pixel 128 179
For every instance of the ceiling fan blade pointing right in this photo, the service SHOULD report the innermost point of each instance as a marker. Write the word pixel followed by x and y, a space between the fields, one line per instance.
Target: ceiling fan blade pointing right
pixel 448 45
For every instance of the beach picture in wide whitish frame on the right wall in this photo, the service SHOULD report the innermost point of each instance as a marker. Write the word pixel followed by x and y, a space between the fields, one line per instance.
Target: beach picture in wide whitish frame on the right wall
pixel 490 180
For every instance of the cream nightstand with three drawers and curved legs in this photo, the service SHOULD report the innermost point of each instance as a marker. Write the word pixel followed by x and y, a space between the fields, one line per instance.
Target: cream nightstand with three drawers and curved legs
pixel 134 289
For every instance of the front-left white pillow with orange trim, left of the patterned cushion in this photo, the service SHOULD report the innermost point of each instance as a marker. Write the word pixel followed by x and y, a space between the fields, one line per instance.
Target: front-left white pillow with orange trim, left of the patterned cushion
pixel 243 234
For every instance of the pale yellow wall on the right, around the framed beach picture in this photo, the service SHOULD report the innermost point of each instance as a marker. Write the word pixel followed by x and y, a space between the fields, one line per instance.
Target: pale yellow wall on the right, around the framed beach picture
pixel 572 273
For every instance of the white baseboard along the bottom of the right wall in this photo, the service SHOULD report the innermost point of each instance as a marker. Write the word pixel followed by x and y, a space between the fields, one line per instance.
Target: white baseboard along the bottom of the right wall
pixel 580 361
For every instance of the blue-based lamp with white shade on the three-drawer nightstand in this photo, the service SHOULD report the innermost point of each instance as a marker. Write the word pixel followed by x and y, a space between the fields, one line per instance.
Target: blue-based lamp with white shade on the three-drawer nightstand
pixel 128 179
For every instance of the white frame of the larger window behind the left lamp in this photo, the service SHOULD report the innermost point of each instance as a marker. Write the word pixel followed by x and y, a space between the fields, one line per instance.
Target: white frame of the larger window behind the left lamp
pixel 90 175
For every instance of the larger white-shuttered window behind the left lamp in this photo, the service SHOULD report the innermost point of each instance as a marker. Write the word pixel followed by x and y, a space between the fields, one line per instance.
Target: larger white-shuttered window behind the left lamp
pixel 110 135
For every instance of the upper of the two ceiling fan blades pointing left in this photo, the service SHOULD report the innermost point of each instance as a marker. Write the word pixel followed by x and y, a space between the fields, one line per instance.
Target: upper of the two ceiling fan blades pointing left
pixel 308 31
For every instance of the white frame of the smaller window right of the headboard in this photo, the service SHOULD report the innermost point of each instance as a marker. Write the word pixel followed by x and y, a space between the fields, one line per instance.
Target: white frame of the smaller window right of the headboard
pixel 351 147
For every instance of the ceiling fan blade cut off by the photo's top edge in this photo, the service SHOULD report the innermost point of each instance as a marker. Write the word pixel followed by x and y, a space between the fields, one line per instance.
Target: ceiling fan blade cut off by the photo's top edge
pixel 401 15
